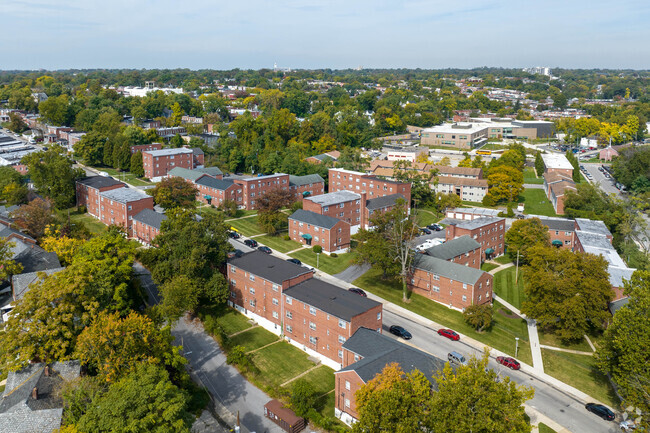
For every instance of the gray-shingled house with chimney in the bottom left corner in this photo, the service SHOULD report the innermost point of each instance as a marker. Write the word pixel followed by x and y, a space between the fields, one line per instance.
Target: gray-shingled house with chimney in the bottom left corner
pixel 31 401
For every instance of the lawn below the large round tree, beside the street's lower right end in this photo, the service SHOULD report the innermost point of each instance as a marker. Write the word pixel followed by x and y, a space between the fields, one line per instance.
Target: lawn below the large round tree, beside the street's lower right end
pixel 579 371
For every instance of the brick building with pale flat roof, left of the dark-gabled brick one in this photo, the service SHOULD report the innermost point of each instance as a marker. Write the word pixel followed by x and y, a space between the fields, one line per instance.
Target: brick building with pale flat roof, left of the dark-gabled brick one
pixel 119 206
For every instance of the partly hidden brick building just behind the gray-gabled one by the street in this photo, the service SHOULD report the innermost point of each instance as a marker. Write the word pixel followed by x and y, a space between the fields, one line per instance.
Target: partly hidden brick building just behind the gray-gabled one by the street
pixel 487 231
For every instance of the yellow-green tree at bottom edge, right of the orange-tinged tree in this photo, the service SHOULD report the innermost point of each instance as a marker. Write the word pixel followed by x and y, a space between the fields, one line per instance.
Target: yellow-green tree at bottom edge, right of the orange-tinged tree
pixel 474 399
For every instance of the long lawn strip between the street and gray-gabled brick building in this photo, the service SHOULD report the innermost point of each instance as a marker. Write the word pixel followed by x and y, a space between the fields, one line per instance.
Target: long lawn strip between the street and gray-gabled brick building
pixel 501 335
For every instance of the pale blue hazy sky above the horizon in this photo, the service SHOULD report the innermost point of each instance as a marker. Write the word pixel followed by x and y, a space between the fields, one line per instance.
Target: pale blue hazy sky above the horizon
pixel 337 34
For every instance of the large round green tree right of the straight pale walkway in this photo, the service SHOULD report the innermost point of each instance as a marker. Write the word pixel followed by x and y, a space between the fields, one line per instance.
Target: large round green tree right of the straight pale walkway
pixel 566 292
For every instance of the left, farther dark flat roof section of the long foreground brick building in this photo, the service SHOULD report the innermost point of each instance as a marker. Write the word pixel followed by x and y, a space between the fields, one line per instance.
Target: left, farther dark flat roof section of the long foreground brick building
pixel 268 267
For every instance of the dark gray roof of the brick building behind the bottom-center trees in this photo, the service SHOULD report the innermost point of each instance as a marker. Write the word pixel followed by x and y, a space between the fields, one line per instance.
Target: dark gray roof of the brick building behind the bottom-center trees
pixel 379 350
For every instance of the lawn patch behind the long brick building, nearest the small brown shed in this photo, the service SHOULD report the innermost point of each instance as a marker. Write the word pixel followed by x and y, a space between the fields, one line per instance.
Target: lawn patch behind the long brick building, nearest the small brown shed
pixel 280 362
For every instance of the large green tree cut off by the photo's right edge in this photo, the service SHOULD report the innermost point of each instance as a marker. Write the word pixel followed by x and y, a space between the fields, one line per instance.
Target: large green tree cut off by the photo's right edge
pixel 623 353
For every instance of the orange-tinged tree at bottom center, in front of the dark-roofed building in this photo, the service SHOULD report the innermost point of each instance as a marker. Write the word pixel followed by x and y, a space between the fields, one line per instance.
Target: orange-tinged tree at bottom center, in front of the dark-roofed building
pixel 394 401
